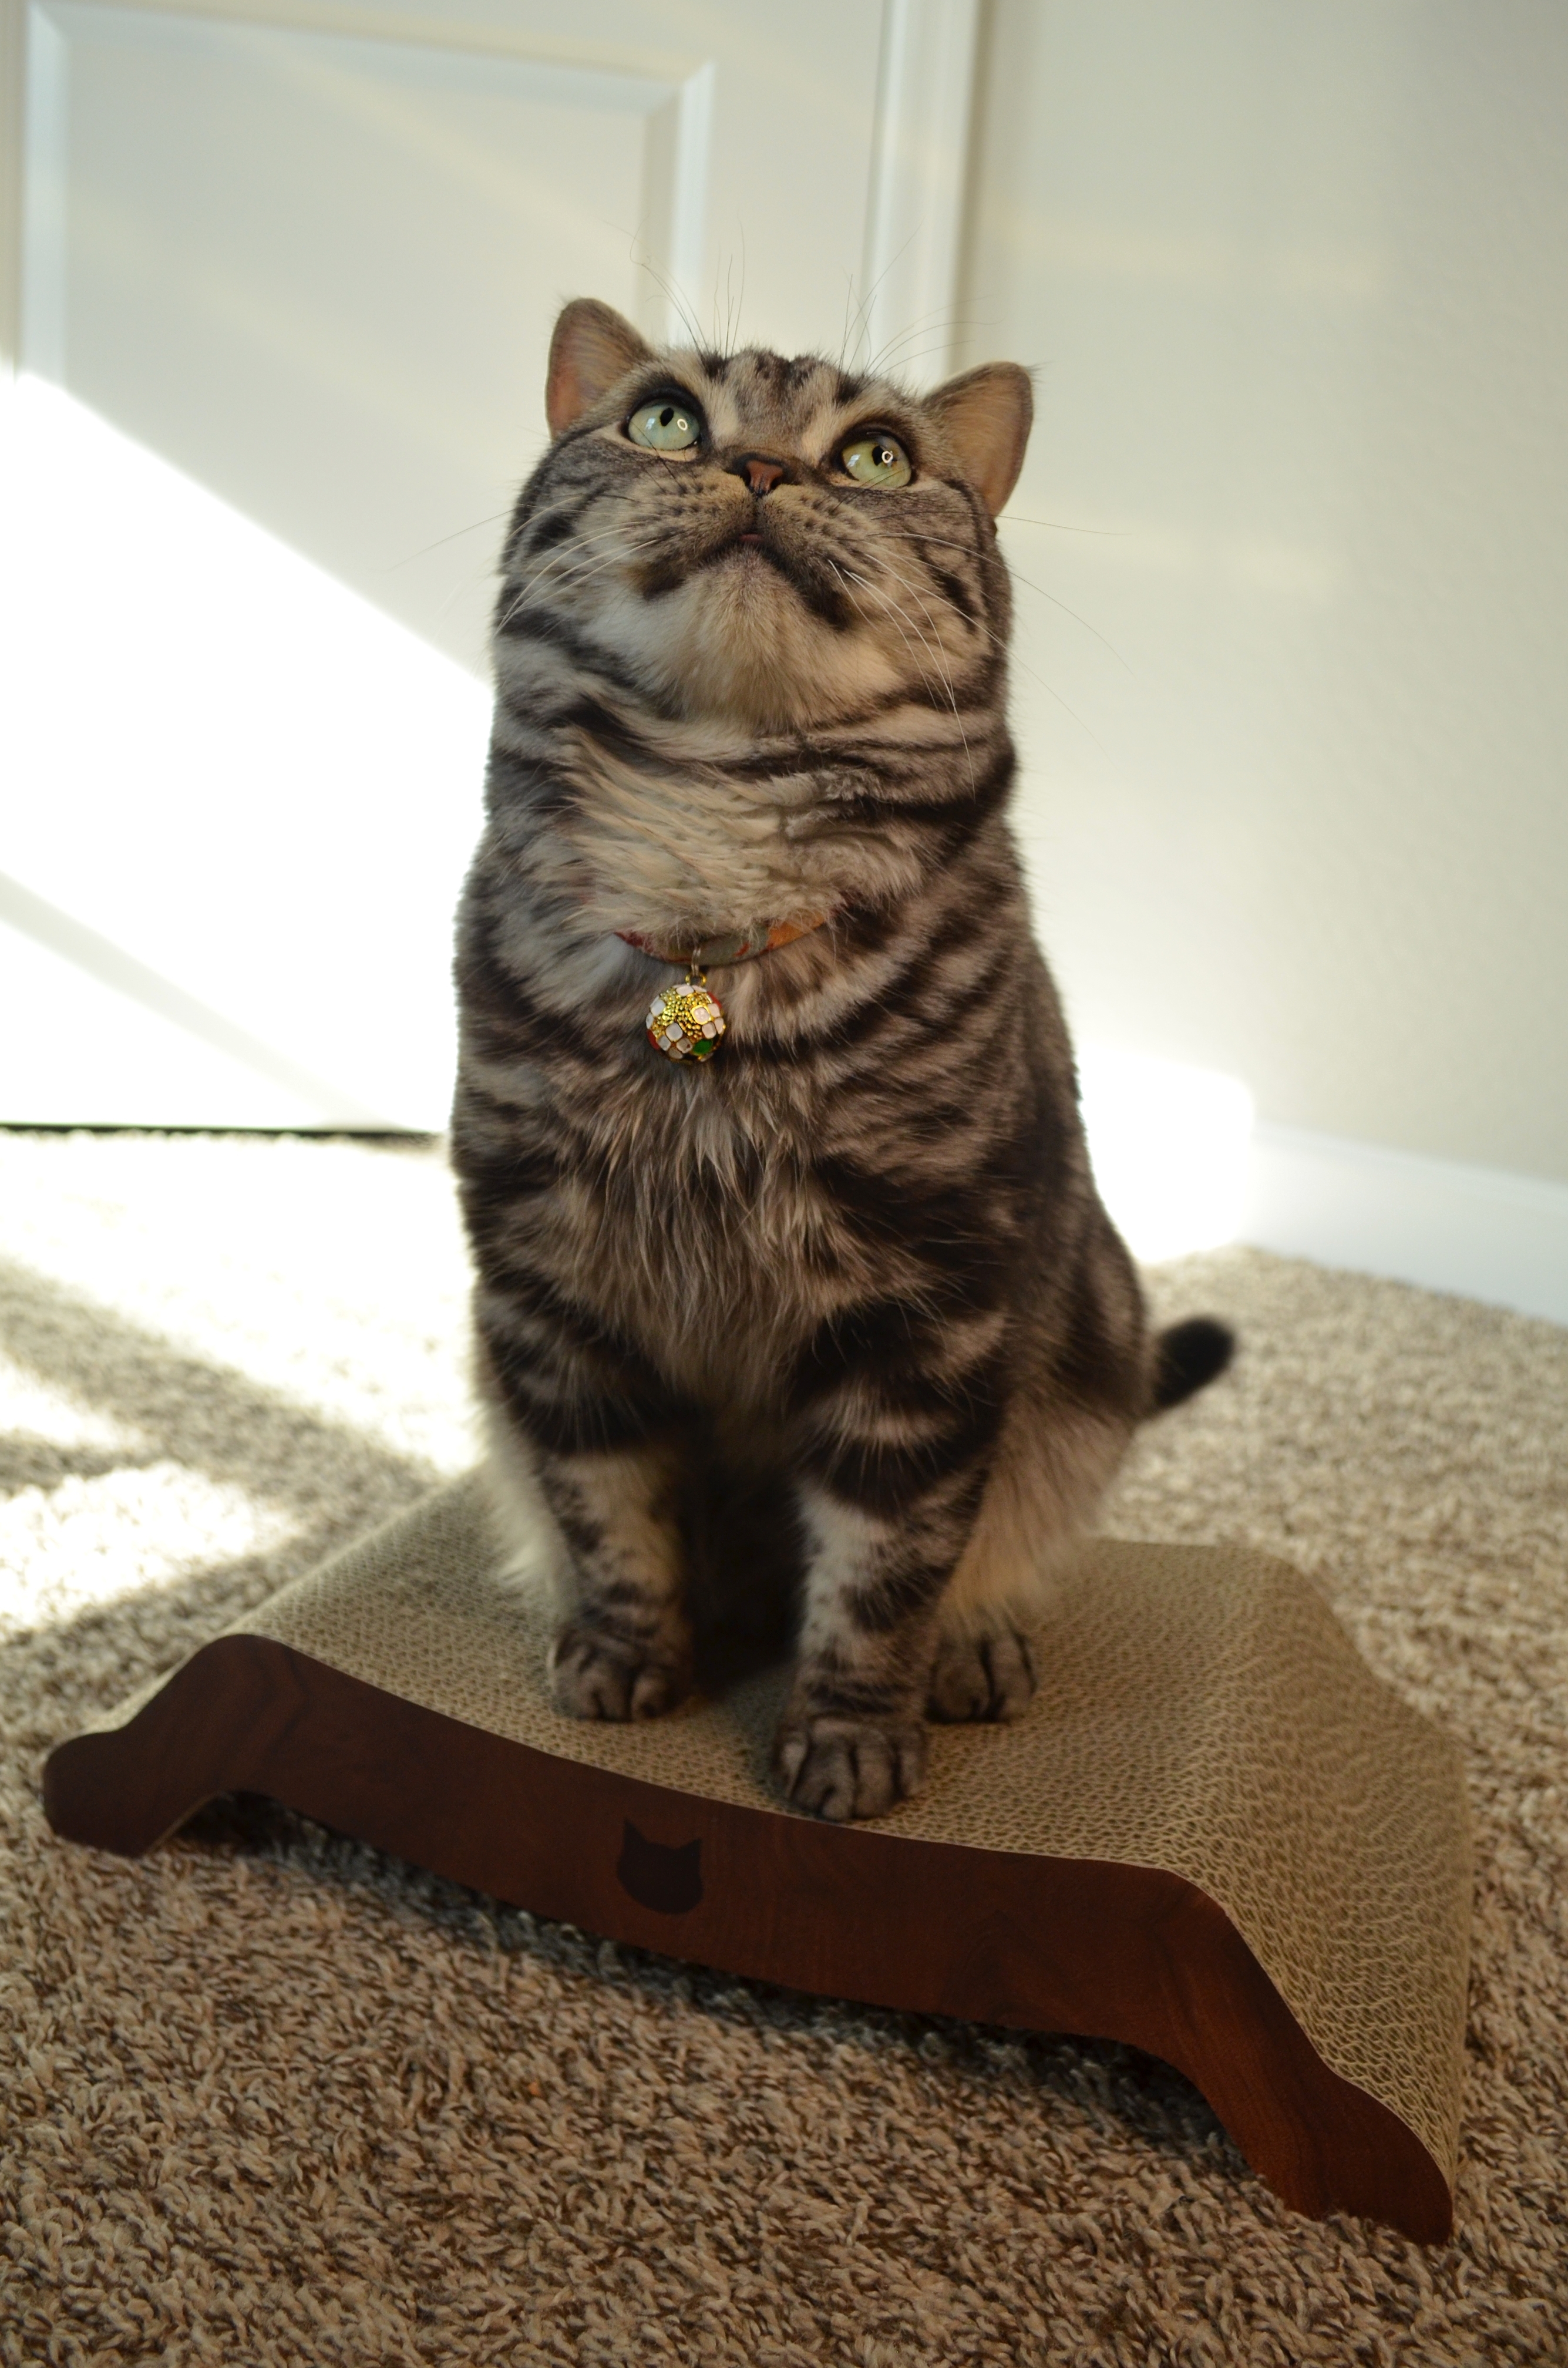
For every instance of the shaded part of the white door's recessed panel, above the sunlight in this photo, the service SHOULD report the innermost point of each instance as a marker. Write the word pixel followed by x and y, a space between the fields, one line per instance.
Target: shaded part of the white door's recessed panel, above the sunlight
pixel 319 274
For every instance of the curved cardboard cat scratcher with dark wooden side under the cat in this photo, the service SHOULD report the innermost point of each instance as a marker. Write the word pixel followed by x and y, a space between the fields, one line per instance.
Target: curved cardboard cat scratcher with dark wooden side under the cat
pixel 1214 1836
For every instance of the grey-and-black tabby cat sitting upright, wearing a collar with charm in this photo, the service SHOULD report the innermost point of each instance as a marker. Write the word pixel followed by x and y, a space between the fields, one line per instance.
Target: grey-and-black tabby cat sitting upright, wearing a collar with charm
pixel 833 1282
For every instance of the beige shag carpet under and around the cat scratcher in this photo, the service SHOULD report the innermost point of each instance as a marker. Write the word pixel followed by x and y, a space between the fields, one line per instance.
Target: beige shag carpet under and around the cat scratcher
pixel 274 2099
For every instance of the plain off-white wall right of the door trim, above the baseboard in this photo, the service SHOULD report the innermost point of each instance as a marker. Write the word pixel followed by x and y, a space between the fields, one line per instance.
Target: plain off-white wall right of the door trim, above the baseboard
pixel 1297 728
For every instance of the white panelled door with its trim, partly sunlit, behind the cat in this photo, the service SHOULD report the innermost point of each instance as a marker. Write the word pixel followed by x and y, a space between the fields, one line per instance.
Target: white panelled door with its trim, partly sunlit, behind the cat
pixel 278 278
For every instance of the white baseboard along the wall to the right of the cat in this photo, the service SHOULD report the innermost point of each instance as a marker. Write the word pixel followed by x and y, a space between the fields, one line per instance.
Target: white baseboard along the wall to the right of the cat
pixel 1437 1223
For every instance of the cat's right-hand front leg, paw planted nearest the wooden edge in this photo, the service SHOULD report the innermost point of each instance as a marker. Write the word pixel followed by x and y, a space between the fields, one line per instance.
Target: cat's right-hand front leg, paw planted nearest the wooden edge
pixel 854 1735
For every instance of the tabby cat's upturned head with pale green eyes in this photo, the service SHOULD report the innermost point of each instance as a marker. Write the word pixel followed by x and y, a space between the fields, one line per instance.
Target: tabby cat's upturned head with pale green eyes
pixel 764 541
